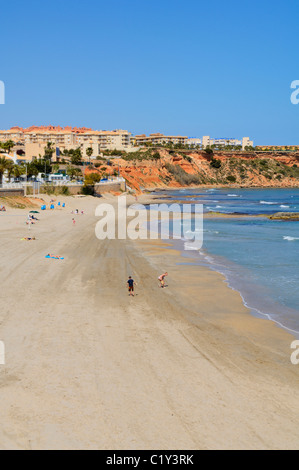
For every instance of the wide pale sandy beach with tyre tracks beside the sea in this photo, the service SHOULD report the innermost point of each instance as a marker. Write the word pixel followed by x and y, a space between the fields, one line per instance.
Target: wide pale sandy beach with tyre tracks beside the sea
pixel 87 367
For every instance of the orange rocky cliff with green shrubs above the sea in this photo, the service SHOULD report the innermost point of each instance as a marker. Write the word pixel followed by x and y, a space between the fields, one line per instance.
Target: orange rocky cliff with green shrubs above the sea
pixel 175 169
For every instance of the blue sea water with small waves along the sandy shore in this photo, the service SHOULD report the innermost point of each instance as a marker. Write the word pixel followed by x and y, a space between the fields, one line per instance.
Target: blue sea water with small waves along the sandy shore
pixel 258 256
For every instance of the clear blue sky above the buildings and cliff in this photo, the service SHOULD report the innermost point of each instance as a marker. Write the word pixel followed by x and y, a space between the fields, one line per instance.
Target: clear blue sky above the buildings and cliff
pixel 192 67
